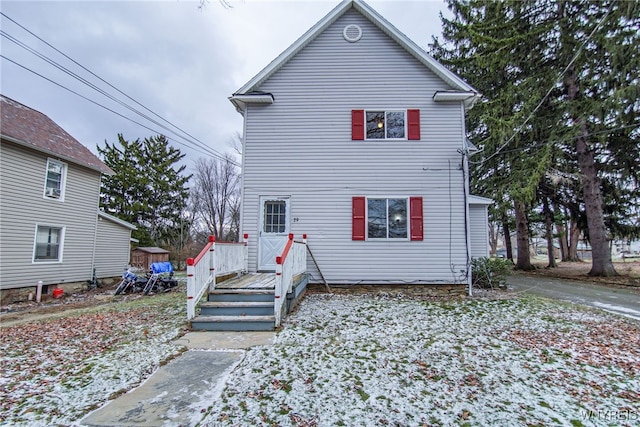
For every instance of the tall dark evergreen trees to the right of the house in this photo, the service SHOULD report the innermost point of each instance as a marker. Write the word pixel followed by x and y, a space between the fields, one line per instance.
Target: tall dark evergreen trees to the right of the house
pixel 558 125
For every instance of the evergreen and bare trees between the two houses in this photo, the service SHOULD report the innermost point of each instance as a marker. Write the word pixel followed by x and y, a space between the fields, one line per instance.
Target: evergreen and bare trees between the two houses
pixel 150 189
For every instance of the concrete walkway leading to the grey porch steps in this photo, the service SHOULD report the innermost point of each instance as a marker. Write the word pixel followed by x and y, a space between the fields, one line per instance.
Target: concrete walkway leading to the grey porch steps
pixel 179 393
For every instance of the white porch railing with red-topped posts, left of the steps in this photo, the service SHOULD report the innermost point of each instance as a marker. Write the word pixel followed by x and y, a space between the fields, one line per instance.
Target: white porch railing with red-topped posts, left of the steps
pixel 215 259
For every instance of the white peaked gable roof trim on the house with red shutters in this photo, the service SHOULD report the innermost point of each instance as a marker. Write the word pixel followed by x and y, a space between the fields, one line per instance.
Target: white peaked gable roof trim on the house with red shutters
pixel 449 77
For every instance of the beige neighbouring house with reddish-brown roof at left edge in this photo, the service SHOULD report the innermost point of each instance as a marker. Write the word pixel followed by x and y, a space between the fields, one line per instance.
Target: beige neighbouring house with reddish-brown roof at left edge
pixel 50 226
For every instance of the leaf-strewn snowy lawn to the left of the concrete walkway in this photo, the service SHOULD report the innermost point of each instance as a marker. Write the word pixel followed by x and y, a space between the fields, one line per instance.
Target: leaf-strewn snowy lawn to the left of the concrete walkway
pixel 56 371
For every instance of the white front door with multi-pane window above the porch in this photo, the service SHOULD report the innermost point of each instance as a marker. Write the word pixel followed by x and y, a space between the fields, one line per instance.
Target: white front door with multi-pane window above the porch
pixel 274 230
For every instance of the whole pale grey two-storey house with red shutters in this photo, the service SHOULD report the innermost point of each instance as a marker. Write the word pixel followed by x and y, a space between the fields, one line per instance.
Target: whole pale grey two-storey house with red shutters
pixel 356 137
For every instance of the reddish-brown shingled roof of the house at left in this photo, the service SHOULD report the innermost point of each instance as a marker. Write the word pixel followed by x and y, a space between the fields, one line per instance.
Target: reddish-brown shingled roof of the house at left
pixel 30 128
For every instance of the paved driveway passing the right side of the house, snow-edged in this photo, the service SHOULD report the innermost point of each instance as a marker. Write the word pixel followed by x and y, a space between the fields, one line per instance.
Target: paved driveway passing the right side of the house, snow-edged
pixel 625 302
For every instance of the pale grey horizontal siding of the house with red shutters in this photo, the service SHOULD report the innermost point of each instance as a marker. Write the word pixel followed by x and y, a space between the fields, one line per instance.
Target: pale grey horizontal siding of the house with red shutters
pixel 301 146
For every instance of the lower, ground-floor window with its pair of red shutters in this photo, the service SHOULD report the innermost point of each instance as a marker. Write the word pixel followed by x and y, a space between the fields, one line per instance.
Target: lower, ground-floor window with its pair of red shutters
pixel 387 218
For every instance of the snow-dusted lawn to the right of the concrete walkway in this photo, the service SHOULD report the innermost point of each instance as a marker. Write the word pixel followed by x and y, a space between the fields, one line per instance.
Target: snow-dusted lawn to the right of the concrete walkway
pixel 371 361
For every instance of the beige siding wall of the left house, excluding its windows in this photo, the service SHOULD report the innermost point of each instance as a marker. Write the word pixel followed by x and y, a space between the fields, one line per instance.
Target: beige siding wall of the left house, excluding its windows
pixel 23 207
